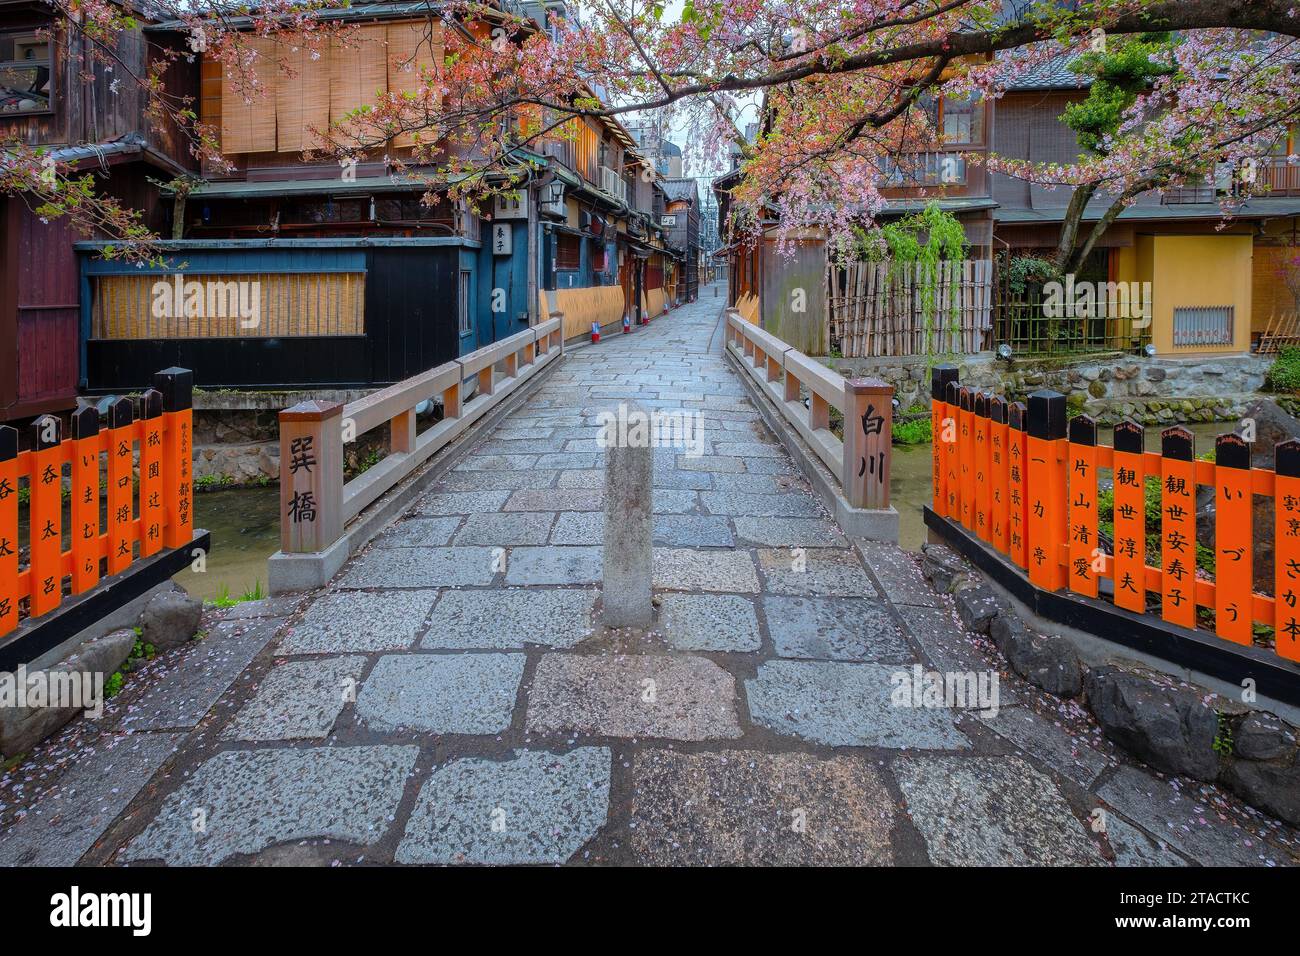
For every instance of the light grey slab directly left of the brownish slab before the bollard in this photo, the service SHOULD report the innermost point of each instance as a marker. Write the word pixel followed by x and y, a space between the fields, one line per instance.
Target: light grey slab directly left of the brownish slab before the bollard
pixel 441 694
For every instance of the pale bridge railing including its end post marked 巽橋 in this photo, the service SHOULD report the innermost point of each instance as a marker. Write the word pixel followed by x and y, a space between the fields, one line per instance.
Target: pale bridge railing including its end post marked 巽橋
pixel 317 505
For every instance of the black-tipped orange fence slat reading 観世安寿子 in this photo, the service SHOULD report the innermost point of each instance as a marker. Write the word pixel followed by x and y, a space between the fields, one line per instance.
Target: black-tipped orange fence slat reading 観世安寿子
pixel 1178 526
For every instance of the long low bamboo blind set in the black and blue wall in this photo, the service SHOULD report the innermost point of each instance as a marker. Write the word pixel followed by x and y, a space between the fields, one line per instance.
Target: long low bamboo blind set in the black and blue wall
pixel 291 305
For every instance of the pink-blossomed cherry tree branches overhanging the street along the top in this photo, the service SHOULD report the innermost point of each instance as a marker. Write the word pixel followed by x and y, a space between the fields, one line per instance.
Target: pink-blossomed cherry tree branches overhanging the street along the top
pixel 837 84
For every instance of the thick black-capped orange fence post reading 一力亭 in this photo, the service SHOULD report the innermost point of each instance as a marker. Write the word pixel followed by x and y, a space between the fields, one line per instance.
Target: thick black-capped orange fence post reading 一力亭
pixel 1046 487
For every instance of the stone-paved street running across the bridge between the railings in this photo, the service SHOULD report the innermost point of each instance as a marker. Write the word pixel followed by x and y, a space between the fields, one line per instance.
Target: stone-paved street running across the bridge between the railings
pixel 450 698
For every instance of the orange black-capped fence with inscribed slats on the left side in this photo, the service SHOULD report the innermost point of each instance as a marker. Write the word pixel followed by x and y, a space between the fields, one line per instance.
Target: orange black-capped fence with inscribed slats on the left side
pixel 119 512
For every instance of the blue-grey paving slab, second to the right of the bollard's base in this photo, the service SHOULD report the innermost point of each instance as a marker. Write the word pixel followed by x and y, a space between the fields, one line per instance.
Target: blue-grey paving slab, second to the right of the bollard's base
pixel 834 629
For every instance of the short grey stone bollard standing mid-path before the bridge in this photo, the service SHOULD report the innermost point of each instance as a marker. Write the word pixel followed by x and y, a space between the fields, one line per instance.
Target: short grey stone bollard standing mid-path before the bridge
pixel 629 518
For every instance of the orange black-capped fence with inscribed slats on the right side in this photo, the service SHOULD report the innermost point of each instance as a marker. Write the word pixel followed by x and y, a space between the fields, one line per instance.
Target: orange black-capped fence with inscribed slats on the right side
pixel 1024 479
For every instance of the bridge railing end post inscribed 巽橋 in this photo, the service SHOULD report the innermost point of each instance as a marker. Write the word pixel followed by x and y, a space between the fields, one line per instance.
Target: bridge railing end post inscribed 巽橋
pixel 311 477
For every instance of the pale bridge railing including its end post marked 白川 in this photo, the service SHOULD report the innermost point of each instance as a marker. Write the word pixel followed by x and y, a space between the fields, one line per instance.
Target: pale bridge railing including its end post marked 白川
pixel 861 461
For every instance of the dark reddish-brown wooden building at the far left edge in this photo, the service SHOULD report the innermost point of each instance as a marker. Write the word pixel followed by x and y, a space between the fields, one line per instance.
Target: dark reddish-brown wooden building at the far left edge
pixel 90 116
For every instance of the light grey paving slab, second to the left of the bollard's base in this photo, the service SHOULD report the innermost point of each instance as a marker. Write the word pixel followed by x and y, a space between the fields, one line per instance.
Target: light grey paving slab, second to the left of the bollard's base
pixel 359 622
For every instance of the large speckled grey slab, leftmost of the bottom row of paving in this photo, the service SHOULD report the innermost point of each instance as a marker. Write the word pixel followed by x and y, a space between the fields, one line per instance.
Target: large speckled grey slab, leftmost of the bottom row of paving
pixel 258 799
